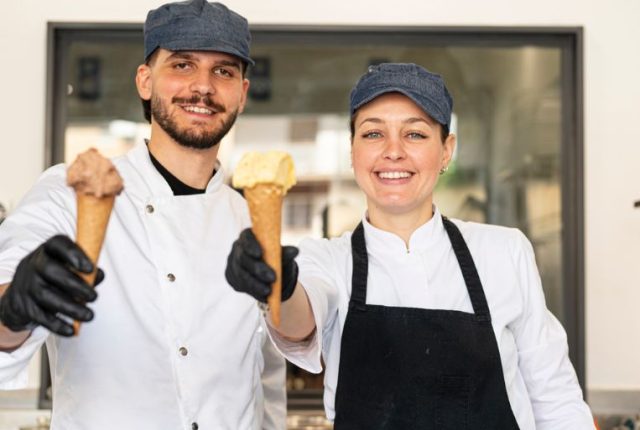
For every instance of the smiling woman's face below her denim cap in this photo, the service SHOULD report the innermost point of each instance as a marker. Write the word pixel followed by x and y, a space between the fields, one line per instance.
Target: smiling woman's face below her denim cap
pixel 397 153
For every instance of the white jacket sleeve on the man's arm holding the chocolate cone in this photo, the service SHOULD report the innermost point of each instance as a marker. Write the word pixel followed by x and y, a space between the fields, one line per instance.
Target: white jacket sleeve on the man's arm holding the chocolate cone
pixel 45 211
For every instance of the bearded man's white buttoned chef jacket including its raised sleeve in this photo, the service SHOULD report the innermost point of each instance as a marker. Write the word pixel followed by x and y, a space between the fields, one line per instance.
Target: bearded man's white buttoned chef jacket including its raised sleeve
pixel 171 344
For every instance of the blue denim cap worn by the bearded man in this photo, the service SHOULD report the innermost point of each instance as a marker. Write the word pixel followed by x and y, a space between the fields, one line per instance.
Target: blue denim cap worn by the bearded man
pixel 197 25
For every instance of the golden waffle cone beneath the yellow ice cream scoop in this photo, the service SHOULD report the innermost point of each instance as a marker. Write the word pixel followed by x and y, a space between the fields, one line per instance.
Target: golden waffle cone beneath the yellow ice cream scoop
pixel 265 208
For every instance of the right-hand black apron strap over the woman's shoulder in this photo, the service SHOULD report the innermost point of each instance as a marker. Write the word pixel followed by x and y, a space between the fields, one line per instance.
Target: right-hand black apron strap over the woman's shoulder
pixel 469 271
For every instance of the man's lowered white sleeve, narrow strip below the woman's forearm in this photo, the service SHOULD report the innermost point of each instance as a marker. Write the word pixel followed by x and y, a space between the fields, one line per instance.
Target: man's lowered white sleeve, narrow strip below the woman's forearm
pixel 274 389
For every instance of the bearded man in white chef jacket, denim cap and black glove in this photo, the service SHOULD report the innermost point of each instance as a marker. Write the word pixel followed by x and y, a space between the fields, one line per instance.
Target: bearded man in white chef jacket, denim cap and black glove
pixel 169 345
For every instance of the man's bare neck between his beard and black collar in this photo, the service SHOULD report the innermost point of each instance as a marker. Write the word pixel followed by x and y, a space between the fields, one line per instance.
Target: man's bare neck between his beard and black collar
pixel 194 167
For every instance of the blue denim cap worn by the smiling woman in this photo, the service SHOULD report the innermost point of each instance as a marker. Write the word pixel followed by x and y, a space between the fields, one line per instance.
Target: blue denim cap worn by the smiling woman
pixel 426 89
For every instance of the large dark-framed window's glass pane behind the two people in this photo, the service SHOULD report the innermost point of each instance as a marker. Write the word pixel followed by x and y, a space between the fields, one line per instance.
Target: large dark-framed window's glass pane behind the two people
pixel 507 117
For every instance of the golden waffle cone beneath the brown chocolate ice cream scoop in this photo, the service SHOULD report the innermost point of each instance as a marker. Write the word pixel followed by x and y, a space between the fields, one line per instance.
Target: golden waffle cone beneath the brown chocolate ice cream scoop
pixel 93 217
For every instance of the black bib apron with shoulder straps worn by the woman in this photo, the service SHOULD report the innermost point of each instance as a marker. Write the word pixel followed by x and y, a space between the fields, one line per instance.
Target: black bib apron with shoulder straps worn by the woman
pixel 414 369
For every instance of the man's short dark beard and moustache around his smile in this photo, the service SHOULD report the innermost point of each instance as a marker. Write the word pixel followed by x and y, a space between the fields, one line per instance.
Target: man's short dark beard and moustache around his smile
pixel 188 137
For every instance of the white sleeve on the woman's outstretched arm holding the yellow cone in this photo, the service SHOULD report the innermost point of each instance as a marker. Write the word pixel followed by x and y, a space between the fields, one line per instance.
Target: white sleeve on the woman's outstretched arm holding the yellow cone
pixel 317 268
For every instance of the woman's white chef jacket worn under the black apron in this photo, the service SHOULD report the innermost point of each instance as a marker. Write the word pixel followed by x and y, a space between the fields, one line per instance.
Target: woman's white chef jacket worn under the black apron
pixel 541 383
